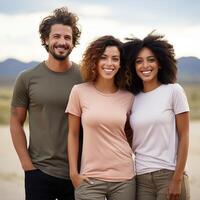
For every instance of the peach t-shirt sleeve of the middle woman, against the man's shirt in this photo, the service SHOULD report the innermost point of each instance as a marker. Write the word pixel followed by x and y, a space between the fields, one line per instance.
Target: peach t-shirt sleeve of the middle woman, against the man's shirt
pixel 73 106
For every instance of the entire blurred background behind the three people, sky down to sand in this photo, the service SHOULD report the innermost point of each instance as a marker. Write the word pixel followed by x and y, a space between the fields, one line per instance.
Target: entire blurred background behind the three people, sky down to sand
pixel 21 48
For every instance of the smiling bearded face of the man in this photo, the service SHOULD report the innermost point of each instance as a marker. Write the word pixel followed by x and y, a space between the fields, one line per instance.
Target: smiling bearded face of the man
pixel 60 41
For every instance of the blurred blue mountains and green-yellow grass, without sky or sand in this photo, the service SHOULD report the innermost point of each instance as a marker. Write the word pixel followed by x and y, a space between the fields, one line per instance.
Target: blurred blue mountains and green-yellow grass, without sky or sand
pixel 188 77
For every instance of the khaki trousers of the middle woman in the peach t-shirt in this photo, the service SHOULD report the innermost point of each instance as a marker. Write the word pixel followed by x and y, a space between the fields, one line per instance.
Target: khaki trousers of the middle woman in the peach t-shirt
pixel 100 190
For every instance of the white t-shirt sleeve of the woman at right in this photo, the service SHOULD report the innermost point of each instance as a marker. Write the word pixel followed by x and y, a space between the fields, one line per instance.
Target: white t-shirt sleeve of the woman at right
pixel 180 103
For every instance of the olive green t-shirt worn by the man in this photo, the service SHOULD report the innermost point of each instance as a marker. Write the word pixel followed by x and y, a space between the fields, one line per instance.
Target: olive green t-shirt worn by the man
pixel 45 94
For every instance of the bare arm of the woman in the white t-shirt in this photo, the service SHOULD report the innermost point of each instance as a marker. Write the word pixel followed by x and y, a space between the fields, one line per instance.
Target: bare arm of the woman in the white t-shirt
pixel 182 125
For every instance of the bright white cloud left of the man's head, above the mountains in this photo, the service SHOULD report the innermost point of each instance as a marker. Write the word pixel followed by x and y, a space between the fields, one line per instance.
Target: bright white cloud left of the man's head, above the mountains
pixel 19 37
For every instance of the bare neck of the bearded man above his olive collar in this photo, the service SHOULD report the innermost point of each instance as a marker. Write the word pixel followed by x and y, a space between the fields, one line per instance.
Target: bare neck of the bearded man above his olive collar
pixel 58 65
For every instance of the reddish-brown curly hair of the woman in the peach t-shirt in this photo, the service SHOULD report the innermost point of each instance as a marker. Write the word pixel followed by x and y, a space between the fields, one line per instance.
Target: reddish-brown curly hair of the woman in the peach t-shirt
pixel 93 54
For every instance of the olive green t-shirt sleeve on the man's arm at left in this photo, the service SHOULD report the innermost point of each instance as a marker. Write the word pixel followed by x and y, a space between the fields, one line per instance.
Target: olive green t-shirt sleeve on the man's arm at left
pixel 20 93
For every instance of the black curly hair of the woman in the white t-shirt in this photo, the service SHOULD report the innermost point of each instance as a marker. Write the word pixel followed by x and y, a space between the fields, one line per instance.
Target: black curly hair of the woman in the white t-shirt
pixel 164 53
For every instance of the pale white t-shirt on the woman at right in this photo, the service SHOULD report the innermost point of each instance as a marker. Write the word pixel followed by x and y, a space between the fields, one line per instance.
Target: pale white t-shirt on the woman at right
pixel 155 138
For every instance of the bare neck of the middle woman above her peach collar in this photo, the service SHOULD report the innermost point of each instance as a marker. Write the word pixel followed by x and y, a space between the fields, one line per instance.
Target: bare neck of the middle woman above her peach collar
pixel 105 86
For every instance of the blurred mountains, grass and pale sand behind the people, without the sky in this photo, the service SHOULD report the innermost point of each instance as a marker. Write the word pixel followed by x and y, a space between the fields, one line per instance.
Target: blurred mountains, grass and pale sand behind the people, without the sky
pixel 11 174
